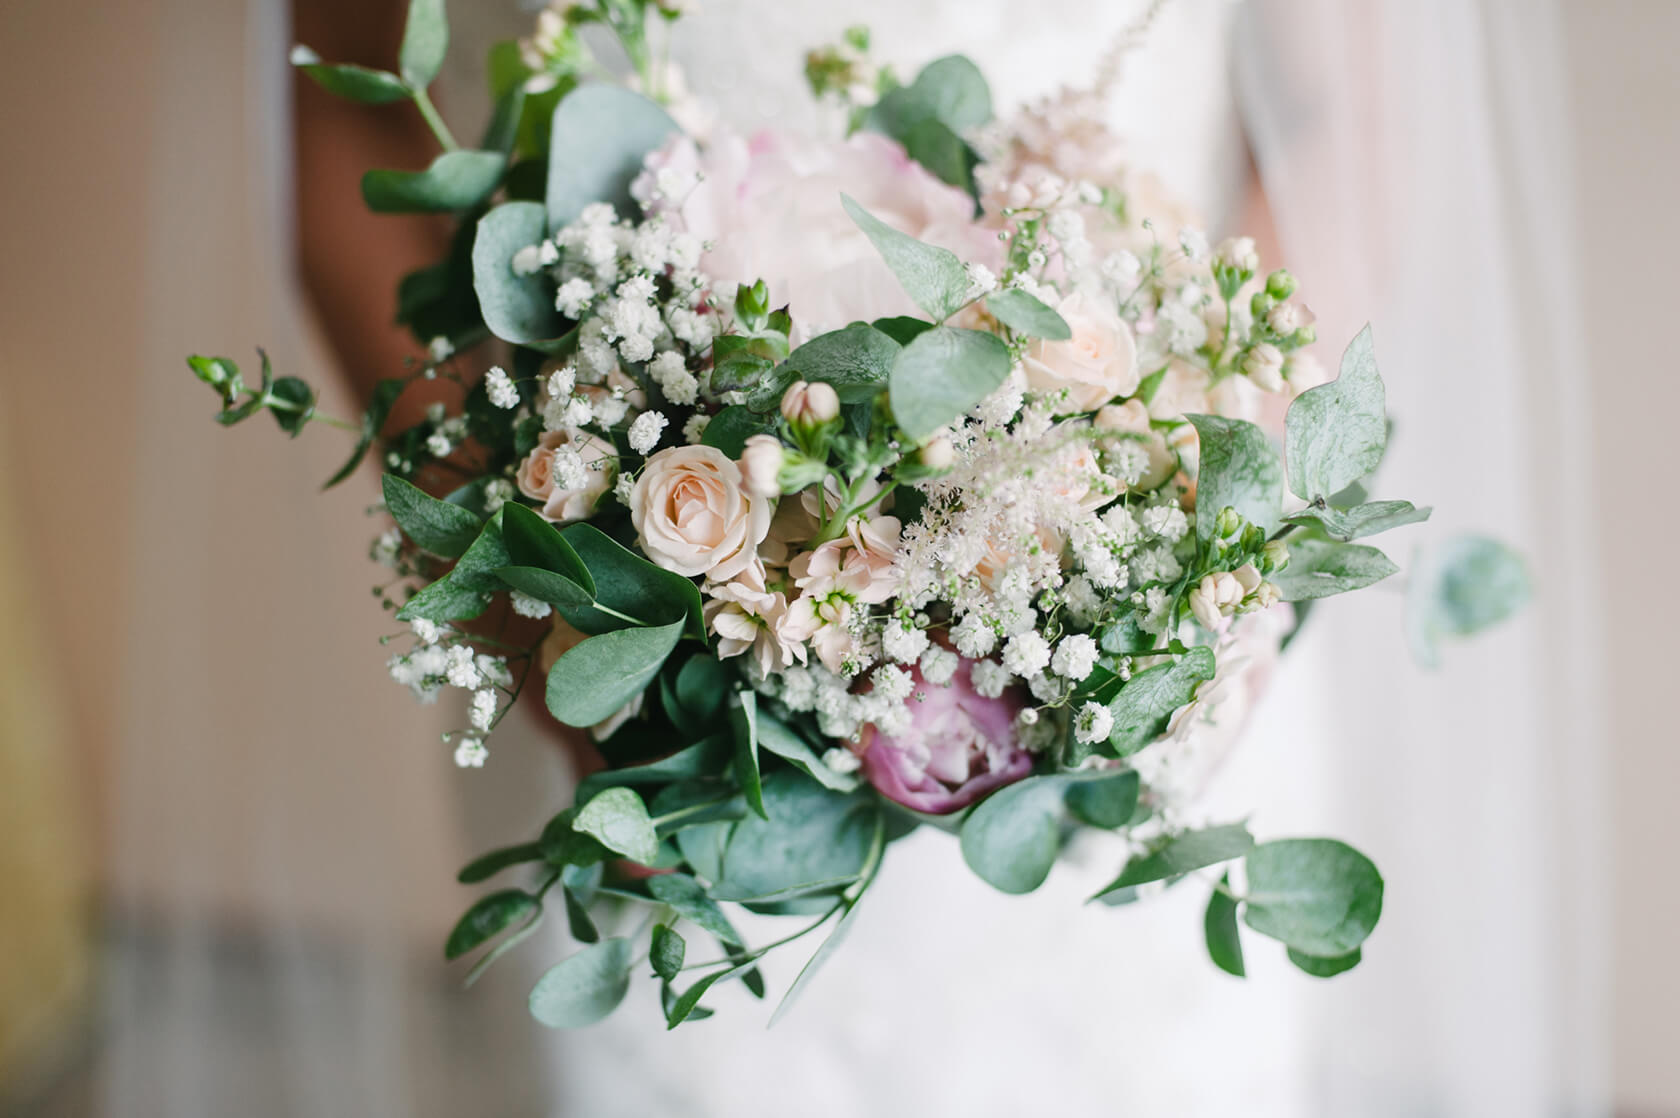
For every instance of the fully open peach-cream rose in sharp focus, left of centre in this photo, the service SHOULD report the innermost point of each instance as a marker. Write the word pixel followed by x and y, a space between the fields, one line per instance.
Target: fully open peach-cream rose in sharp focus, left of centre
pixel 693 517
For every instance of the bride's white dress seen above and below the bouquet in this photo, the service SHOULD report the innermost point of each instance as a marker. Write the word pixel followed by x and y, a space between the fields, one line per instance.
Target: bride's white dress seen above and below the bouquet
pixel 952 998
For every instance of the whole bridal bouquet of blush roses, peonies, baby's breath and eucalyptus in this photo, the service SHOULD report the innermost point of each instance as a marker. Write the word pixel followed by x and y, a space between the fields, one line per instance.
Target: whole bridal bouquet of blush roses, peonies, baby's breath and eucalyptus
pixel 927 473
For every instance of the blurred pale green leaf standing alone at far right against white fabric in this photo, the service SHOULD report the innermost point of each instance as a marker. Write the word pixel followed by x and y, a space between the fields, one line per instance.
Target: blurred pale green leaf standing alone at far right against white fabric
pixel 1457 591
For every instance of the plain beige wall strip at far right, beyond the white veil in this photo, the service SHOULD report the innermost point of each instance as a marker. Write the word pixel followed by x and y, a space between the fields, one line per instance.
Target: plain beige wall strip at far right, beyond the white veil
pixel 1627 137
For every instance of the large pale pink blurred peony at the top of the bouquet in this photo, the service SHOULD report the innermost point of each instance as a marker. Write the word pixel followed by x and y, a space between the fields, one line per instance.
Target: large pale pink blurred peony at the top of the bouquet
pixel 770 209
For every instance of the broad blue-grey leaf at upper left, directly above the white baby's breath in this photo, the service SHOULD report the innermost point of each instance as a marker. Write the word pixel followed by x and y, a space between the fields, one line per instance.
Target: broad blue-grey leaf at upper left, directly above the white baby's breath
pixel 601 134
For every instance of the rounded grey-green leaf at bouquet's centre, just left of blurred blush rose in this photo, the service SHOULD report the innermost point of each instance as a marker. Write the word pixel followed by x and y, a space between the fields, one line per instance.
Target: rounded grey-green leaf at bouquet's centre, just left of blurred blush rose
pixel 942 376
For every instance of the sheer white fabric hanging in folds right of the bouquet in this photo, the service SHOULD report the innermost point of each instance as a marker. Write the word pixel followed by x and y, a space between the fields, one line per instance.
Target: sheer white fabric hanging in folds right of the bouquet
pixel 1417 161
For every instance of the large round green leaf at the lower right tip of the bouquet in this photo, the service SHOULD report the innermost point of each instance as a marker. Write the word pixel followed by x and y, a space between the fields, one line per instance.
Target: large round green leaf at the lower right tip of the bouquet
pixel 1316 895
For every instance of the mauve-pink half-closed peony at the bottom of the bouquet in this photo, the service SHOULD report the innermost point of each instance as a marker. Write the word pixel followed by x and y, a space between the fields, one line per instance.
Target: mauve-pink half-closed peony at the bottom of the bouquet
pixel 960 747
